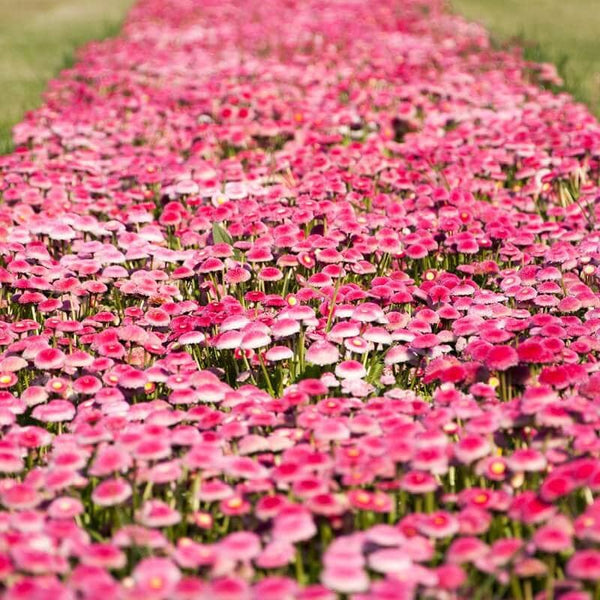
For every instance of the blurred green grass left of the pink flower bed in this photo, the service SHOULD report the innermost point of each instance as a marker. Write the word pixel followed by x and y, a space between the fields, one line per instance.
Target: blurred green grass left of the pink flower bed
pixel 38 38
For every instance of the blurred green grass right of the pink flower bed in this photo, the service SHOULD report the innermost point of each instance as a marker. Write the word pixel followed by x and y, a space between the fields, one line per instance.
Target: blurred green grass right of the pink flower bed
pixel 563 32
